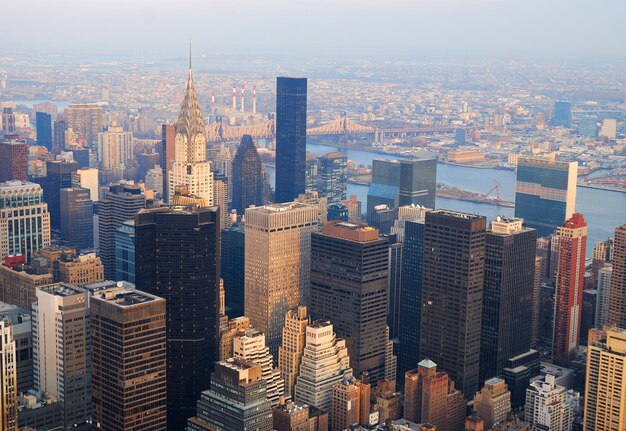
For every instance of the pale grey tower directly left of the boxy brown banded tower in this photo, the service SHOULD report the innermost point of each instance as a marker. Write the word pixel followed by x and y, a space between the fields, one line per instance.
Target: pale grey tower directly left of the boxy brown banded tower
pixel 61 351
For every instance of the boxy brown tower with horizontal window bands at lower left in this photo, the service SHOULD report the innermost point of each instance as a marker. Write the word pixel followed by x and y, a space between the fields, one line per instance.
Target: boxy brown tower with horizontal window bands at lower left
pixel 128 342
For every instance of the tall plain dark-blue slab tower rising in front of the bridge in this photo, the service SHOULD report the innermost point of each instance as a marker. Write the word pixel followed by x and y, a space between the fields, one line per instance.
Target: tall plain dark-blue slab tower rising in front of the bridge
pixel 290 138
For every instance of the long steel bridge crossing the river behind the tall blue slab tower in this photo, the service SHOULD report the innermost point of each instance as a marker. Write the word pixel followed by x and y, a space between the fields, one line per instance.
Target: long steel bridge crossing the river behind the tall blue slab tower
pixel 342 126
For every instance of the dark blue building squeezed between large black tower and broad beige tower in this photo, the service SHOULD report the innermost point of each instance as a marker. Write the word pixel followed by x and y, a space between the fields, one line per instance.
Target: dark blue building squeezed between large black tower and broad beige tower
pixel 233 268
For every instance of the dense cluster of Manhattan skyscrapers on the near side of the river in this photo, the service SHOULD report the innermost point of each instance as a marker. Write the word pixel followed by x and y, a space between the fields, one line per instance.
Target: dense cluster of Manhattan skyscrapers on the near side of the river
pixel 208 301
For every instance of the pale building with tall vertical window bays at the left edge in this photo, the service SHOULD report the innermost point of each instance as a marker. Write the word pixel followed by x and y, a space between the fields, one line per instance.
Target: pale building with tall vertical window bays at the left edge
pixel 23 231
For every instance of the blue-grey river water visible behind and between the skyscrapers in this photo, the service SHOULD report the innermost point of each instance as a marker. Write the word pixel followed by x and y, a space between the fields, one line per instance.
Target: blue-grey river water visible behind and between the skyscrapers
pixel 604 210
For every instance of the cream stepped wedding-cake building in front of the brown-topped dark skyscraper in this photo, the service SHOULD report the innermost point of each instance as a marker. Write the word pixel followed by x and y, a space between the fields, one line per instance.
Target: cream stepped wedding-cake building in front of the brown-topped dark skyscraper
pixel 325 362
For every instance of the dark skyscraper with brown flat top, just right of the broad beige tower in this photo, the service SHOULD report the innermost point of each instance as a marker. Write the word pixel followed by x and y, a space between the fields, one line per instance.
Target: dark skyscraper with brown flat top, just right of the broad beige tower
pixel 349 275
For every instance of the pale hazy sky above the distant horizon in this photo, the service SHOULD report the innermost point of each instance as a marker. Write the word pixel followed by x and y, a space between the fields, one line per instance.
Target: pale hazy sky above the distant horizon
pixel 333 28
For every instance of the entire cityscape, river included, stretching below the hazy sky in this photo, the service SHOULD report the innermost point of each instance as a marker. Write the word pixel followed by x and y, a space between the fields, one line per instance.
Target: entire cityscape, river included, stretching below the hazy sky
pixel 422 247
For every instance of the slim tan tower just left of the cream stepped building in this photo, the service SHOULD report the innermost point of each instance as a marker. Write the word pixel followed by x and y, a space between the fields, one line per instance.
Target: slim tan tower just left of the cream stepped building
pixel 292 348
